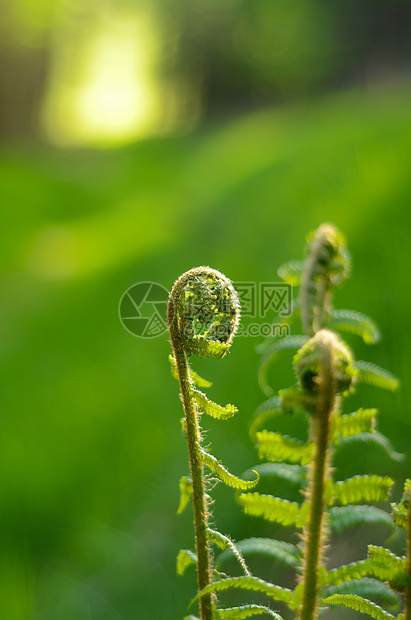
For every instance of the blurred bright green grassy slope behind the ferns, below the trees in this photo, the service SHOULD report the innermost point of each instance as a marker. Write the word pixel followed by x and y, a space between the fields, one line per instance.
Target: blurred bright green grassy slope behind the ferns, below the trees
pixel 90 444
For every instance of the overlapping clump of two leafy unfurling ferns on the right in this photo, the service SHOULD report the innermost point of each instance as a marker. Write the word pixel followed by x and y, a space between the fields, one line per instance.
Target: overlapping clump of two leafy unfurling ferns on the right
pixel 326 372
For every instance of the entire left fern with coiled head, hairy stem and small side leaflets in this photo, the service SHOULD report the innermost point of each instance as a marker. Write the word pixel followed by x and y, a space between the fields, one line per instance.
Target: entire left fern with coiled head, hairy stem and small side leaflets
pixel 203 316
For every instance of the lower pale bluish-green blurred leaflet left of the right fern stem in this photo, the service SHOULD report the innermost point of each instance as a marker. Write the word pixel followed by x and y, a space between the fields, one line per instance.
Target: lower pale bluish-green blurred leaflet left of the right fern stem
pixel 278 550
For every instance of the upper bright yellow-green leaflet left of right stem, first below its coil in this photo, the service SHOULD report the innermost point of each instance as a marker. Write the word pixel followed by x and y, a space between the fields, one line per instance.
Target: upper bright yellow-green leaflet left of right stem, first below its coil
pixel 277 447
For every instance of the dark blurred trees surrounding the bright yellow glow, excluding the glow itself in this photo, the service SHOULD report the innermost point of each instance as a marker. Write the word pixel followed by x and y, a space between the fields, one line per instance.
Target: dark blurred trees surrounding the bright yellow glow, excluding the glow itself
pixel 217 55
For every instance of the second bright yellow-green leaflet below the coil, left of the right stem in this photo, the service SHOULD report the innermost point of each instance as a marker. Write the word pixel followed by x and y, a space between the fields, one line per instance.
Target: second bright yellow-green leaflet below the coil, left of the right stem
pixel 271 508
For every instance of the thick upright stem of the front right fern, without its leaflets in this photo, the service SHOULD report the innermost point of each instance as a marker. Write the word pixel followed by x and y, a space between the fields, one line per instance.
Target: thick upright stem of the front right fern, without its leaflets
pixel 314 533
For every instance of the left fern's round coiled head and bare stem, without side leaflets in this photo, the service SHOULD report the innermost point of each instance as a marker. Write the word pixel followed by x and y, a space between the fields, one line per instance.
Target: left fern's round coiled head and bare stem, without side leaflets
pixel 201 301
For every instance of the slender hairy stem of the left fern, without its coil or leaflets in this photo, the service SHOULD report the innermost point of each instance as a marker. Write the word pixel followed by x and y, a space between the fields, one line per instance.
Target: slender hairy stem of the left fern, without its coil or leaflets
pixel 200 508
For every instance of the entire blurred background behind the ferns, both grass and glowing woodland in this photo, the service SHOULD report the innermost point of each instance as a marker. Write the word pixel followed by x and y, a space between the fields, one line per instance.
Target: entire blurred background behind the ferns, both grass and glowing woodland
pixel 140 139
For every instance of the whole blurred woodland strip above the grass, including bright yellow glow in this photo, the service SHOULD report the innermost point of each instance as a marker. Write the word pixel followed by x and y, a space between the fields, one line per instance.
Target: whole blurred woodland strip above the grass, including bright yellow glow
pixel 82 71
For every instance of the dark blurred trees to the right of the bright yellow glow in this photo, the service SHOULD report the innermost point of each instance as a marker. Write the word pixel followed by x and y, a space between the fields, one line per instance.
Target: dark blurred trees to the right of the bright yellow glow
pixel 245 53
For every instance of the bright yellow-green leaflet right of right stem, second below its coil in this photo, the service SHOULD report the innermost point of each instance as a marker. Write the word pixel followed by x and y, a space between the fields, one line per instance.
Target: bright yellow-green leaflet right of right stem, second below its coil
pixel 359 488
